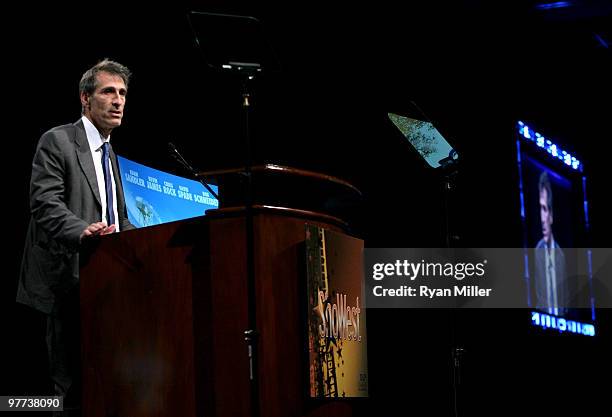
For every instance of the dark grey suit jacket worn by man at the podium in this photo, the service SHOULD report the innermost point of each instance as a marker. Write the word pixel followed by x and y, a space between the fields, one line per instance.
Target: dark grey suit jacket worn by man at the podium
pixel 64 200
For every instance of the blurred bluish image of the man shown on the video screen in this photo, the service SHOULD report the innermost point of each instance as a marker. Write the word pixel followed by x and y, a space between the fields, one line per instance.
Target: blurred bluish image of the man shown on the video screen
pixel 550 274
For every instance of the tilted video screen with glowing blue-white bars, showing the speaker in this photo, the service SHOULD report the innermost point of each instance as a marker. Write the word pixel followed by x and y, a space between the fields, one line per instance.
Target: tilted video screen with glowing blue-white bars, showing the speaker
pixel 555 226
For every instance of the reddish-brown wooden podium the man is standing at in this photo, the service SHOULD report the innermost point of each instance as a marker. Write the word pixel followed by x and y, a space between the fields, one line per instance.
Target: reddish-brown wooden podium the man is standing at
pixel 164 310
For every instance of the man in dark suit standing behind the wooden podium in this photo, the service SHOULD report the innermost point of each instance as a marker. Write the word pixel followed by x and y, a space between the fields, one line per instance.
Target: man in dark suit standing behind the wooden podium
pixel 75 194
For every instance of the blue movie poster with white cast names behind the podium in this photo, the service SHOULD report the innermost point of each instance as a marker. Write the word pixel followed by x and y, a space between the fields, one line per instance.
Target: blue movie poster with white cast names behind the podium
pixel 155 197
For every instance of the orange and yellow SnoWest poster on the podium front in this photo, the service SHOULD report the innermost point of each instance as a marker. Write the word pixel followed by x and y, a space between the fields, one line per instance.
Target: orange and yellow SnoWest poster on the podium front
pixel 337 340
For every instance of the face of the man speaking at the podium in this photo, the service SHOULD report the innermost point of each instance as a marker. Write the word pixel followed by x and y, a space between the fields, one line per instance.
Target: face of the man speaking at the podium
pixel 105 106
